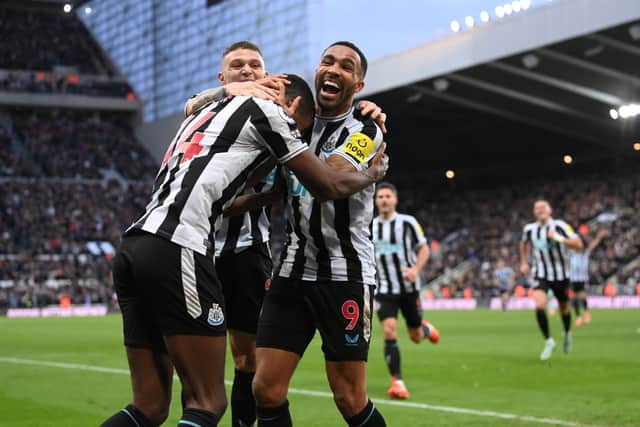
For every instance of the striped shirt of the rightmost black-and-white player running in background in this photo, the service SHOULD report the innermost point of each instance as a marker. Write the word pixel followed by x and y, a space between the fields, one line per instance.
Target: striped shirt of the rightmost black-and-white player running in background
pixel 551 259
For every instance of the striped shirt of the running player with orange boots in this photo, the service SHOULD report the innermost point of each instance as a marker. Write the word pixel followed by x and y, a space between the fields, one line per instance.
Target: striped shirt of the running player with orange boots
pixel 397 240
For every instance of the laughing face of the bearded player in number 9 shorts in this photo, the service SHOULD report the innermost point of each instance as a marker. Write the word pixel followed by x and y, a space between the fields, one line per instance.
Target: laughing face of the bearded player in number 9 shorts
pixel 338 79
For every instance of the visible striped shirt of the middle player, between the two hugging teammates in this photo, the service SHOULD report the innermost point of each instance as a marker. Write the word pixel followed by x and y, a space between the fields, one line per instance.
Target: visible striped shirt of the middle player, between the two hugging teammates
pixel 243 231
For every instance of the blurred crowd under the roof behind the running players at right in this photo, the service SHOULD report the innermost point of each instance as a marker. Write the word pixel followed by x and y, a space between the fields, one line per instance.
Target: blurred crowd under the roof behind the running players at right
pixel 485 225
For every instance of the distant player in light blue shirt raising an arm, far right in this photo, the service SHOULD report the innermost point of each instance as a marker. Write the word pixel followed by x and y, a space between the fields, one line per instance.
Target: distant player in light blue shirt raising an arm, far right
pixel 579 275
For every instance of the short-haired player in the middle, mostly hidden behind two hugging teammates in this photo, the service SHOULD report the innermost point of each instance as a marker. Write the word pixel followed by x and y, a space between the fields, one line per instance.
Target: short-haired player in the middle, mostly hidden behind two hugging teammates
pixel 243 258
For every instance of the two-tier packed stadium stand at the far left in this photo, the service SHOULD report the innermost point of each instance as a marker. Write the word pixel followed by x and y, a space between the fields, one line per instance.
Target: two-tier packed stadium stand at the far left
pixel 71 178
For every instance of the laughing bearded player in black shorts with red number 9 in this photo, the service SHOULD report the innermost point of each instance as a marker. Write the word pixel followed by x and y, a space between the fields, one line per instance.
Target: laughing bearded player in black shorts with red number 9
pixel 326 278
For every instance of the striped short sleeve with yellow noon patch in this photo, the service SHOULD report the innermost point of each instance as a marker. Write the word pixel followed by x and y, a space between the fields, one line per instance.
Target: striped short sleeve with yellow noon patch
pixel 361 144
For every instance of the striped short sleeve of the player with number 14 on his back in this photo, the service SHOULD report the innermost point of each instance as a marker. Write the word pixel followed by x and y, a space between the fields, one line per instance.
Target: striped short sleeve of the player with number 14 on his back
pixel 277 130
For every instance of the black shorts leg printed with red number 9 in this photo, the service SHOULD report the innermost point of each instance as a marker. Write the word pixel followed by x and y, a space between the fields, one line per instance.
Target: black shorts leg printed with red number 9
pixel 343 315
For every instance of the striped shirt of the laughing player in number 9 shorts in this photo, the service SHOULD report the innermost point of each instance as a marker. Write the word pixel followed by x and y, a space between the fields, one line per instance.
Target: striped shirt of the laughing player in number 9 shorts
pixel 331 240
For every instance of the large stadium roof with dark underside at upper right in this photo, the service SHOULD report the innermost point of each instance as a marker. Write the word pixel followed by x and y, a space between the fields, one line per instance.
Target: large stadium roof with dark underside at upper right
pixel 530 86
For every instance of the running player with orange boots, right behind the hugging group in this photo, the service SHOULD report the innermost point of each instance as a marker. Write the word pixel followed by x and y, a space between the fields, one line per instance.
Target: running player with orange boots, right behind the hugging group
pixel 401 253
